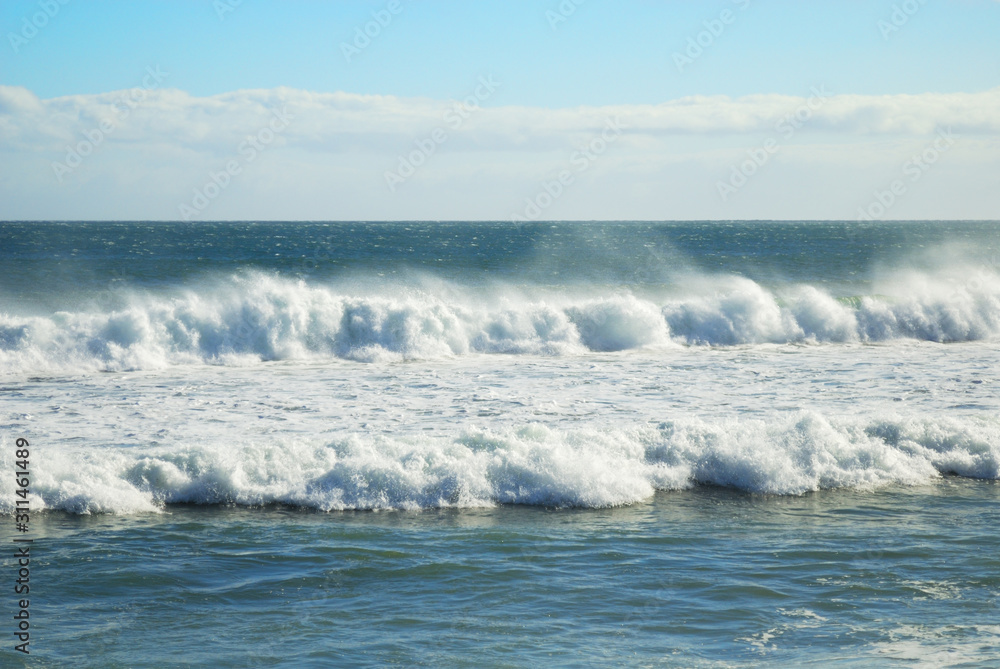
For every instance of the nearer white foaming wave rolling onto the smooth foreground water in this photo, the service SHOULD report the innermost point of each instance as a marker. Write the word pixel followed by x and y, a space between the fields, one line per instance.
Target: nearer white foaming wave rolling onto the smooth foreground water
pixel 533 465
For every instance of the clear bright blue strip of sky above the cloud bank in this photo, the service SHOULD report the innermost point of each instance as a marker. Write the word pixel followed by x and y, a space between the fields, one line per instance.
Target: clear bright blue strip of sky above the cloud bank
pixel 604 53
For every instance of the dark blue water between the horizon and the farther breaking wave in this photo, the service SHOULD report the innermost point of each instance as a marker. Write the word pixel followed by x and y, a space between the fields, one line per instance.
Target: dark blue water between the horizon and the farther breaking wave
pixel 43 261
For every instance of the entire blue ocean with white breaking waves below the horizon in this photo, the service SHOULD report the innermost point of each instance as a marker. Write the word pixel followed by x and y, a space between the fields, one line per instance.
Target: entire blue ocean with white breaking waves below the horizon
pixel 678 444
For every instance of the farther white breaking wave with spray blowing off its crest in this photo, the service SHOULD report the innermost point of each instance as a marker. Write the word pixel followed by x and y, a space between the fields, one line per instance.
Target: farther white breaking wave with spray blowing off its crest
pixel 252 317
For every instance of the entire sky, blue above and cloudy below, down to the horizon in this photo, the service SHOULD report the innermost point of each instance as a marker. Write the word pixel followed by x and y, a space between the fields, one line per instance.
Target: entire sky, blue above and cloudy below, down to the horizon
pixel 549 110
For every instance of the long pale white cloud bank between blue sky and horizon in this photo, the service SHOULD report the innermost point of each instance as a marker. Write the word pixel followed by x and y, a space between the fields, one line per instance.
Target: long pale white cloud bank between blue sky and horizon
pixel 330 160
